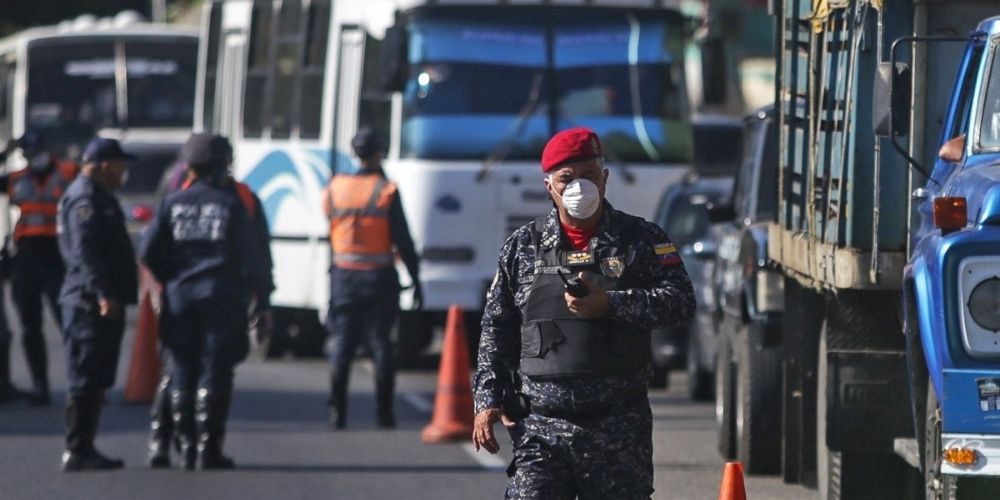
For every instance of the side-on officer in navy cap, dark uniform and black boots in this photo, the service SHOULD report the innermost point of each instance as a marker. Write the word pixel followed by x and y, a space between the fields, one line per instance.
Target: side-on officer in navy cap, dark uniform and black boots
pixel 100 281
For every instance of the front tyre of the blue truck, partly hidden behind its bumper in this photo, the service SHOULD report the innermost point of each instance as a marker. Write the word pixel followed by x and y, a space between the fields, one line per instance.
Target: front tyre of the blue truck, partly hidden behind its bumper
pixel 946 487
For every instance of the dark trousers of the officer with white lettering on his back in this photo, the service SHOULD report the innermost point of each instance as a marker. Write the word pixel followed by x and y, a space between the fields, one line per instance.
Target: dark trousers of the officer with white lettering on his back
pixel 205 339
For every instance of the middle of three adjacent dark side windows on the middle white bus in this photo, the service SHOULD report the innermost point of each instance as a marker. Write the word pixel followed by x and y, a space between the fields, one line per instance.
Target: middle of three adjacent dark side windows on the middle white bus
pixel 285 69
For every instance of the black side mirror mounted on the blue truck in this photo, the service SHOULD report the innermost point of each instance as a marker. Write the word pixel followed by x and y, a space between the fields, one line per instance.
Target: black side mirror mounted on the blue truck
pixel 891 115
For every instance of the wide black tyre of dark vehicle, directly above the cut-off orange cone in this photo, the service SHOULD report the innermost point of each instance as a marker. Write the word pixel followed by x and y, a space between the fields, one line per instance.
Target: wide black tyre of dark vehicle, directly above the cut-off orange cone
pixel 758 401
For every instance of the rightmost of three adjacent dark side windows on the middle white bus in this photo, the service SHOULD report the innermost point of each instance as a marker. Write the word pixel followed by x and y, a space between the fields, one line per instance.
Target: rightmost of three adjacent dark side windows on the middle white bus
pixel 311 106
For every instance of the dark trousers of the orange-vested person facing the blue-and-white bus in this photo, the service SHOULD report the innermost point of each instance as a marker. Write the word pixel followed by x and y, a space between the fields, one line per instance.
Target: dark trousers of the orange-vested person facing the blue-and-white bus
pixel 350 319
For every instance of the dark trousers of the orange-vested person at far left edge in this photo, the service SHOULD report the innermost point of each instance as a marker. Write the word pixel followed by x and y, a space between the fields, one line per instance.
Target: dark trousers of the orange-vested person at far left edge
pixel 37 271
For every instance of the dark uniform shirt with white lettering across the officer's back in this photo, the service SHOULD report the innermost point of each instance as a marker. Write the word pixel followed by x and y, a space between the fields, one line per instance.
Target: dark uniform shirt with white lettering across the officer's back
pixel 202 245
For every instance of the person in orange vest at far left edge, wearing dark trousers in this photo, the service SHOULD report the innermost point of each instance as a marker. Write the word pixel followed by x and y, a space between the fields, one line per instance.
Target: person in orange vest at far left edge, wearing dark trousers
pixel 37 266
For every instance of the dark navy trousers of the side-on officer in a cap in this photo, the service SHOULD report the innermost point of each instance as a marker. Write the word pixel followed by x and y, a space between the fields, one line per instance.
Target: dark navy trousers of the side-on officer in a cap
pixel 93 346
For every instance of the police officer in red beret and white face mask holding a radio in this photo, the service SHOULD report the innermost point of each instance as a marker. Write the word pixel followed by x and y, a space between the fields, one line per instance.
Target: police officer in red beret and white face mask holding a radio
pixel 569 314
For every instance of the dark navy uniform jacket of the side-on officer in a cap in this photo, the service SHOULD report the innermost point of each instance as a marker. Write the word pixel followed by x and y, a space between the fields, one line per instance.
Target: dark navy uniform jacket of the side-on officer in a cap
pixel 95 246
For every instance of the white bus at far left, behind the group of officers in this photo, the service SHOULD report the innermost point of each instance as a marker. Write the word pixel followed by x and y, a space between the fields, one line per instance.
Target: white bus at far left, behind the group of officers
pixel 117 77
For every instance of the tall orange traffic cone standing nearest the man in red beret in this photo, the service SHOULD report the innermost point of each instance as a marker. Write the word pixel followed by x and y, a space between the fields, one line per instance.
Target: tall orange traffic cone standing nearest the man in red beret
pixel 452 420
